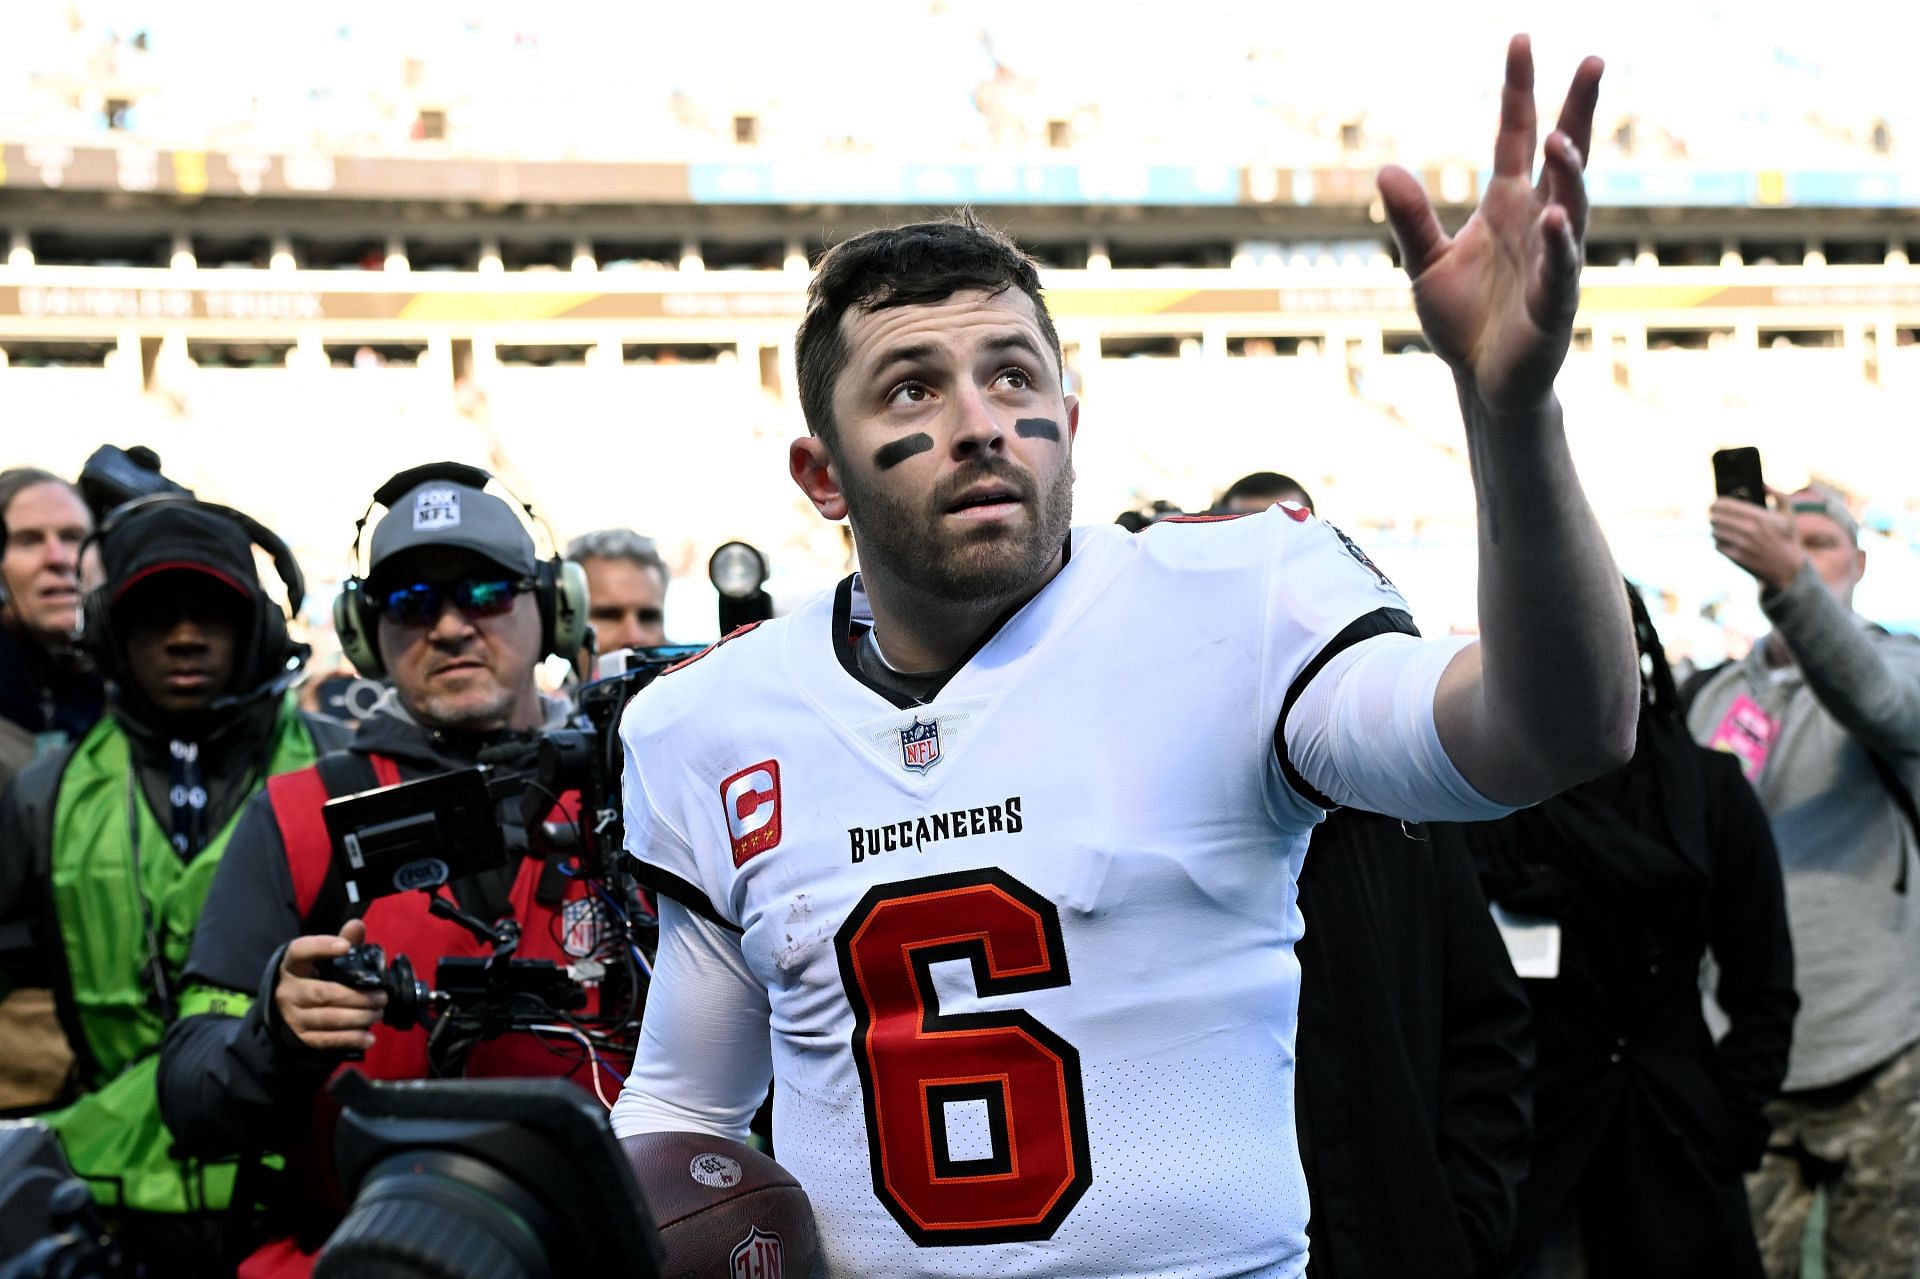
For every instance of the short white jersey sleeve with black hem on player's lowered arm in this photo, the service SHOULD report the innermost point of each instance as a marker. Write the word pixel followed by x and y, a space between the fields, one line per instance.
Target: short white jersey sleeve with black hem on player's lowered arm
pixel 650 786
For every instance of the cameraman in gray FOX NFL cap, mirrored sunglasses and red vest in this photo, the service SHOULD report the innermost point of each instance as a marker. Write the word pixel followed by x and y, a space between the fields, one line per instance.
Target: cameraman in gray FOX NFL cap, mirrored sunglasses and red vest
pixel 456 612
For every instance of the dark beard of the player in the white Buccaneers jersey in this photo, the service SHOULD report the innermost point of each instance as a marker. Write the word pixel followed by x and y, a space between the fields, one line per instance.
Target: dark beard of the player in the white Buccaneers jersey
pixel 923 550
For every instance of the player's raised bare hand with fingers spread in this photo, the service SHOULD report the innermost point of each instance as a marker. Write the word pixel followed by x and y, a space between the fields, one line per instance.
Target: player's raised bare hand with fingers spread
pixel 1499 299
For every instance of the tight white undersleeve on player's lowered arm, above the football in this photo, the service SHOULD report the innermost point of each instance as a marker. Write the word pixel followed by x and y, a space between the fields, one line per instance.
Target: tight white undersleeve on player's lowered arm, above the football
pixel 706 1053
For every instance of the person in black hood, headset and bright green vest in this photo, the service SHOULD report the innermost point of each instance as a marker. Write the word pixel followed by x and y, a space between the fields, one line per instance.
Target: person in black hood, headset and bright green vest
pixel 108 846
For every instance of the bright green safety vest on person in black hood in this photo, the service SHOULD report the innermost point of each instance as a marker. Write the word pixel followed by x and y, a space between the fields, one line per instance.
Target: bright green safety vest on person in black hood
pixel 114 1136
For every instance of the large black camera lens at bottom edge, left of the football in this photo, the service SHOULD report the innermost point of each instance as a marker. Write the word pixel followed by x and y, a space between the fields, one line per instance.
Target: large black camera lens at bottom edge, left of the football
pixel 439 1215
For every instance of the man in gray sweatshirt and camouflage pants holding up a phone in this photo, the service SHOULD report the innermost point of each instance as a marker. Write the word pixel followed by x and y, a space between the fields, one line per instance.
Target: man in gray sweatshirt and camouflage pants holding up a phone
pixel 1825 717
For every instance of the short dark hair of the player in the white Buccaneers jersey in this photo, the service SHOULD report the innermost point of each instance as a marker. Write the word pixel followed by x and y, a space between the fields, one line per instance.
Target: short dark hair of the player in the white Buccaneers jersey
pixel 898 268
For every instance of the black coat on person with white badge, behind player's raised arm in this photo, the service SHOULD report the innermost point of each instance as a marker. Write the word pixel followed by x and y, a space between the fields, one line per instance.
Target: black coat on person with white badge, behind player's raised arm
pixel 1648 869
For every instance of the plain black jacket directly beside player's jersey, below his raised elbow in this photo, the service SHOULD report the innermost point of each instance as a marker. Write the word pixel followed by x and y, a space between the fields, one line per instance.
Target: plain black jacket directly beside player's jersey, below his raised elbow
pixel 1414 1057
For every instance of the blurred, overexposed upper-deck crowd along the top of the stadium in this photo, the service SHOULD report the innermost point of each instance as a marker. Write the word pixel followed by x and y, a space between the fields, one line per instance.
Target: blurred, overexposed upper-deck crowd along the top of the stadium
pixel 652 84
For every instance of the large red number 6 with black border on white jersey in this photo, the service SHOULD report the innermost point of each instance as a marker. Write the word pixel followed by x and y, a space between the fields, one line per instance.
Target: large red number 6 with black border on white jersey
pixel 974 1122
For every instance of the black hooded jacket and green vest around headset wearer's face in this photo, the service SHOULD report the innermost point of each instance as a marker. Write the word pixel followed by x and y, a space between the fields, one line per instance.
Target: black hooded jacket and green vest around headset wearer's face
pixel 108 846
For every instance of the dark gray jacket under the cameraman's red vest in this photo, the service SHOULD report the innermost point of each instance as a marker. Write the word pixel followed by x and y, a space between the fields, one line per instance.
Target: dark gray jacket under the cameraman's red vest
pixel 245 1084
